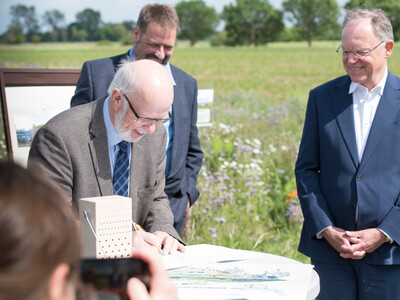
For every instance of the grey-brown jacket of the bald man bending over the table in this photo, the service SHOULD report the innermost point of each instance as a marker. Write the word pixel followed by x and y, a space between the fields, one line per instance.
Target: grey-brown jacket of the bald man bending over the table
pixel 72 147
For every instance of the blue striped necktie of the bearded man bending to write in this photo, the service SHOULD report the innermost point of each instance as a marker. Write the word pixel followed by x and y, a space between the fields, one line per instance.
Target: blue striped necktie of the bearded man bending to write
pixel 121 170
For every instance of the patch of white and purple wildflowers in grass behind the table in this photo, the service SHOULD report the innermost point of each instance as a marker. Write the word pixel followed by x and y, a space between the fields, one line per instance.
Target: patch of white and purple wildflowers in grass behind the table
pixel 248 198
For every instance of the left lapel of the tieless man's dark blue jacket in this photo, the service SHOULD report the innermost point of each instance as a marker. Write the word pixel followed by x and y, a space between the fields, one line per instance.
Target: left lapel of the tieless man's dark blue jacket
pixel 342 103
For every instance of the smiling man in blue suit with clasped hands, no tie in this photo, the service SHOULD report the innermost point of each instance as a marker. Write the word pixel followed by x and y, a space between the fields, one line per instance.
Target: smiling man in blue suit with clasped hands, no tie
pixel 348 168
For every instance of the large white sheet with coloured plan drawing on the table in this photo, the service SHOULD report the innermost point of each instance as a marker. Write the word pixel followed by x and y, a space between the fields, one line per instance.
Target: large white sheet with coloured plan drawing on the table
pixel 213 272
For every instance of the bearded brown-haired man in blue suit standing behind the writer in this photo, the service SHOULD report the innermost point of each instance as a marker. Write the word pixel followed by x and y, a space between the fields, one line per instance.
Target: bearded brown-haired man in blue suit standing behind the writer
pixel 154 38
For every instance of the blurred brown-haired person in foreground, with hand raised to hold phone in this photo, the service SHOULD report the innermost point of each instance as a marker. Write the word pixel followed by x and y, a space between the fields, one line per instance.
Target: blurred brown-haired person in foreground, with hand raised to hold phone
pixel 40 243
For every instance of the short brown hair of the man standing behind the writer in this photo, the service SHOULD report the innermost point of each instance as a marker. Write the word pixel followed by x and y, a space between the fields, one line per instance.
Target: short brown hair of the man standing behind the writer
pixel 161 14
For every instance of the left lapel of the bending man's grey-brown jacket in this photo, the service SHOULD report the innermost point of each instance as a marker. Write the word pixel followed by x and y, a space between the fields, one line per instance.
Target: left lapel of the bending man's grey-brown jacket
pixel 99 150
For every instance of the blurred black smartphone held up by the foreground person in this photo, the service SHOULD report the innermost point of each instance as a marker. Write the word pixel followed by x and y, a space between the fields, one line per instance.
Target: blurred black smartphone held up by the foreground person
pixel 103 279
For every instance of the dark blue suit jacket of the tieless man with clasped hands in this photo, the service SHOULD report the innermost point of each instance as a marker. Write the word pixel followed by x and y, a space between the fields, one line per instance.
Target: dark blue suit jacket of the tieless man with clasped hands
pixel 331 181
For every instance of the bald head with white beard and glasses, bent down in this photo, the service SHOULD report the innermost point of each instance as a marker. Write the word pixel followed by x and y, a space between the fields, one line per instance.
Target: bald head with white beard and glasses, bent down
pixel 146 88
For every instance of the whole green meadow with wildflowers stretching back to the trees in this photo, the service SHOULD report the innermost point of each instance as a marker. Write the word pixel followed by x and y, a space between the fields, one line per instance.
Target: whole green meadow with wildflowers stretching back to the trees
pixel 248 198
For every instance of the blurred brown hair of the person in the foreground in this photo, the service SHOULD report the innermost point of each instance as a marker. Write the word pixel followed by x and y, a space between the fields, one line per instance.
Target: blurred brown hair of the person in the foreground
pixel 38 231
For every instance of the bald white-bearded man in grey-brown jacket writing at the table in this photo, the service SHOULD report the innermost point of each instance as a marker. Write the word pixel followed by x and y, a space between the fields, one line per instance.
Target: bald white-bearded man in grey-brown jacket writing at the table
pixel 80 148
